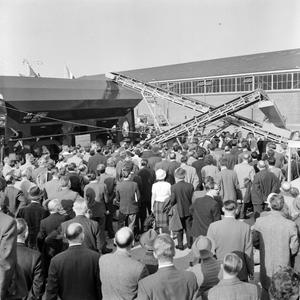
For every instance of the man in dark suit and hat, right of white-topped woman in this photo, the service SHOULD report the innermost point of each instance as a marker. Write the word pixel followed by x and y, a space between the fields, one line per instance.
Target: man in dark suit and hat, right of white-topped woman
pixel 182 193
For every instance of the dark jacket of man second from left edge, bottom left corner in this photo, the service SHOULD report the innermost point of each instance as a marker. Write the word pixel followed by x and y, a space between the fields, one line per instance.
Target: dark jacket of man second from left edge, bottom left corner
pixel 31 263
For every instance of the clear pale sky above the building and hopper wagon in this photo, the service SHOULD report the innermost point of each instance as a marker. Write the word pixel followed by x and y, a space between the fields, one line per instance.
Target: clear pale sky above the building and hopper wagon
pixel 98 36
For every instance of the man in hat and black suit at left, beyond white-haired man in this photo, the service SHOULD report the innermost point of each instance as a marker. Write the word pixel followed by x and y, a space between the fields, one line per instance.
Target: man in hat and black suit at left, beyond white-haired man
pixel 33 214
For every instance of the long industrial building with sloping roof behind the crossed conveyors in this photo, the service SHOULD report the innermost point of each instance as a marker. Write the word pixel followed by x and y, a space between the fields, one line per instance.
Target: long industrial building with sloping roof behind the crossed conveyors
pixel 220 80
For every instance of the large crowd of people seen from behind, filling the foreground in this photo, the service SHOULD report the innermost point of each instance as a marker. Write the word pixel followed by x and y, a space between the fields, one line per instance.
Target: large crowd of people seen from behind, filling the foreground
pixel 224 199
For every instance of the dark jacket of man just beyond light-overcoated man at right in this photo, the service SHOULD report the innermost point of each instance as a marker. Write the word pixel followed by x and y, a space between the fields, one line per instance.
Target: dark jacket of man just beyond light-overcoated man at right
pixel 264 183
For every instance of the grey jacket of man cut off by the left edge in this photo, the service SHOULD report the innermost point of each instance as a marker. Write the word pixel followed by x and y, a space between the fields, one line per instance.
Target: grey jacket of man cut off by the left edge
pixel 8 260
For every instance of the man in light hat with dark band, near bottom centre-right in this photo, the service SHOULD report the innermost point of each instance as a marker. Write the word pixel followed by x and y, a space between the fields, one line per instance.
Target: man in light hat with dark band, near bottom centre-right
pixel 208 269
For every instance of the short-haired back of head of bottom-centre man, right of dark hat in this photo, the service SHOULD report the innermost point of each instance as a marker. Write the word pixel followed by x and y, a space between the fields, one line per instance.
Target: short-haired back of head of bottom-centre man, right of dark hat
pixel 164 248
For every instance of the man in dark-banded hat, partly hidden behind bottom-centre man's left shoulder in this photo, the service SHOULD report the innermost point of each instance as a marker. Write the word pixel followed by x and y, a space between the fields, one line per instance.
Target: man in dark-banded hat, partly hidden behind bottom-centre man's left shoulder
pixel 147 242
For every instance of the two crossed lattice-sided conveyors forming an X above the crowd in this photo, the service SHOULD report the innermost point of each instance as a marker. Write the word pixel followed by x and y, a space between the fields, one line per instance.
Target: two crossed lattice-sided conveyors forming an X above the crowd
pixel 209 113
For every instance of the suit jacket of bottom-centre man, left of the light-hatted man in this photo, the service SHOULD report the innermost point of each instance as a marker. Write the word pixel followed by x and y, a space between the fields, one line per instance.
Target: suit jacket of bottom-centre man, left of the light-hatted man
pixel 168 283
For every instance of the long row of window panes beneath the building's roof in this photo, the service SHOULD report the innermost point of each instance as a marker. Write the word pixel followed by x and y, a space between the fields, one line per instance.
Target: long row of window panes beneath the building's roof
pixel 235 84
